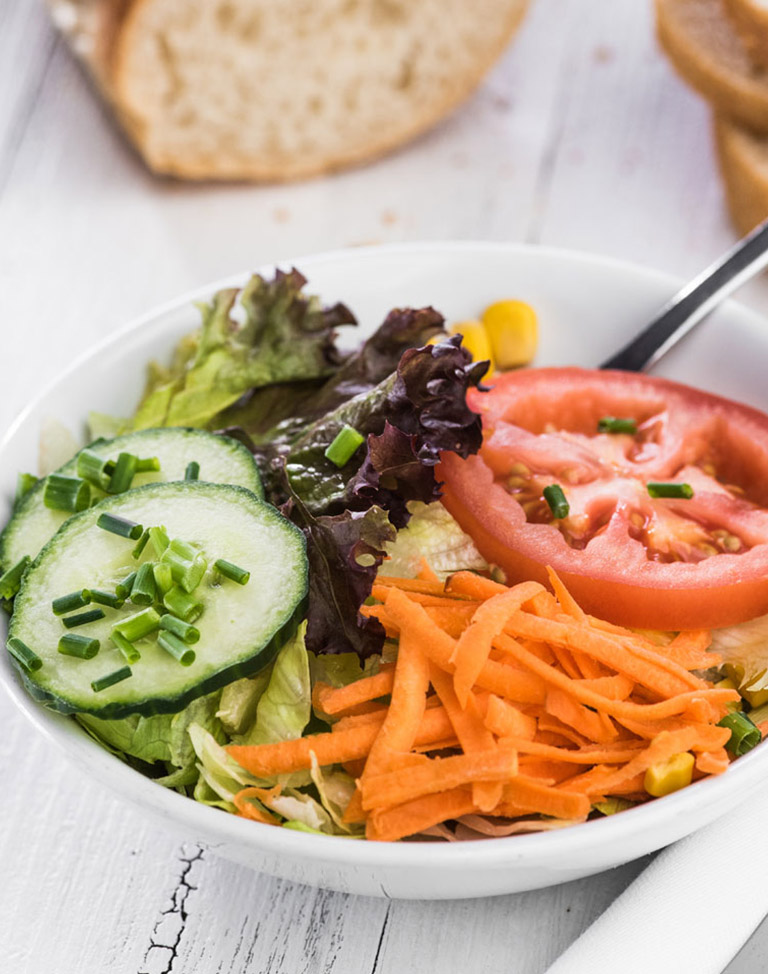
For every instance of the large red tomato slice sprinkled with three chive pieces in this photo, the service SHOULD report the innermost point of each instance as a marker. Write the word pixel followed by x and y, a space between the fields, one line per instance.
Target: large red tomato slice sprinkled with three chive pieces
pixel 666 563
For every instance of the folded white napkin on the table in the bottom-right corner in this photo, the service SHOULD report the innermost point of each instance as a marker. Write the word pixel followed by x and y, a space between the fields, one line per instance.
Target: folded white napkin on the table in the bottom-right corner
pixel 691 910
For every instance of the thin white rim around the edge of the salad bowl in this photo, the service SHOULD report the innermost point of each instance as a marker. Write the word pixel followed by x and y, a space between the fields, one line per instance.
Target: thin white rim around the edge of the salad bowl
pixel 534 848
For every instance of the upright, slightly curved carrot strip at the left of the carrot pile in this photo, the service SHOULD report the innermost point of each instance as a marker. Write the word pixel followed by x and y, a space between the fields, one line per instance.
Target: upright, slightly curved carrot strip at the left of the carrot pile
pixel 406 708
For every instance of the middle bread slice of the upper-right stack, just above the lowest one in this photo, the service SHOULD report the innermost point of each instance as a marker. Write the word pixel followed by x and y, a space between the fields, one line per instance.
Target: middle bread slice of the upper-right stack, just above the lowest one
pixel 706 50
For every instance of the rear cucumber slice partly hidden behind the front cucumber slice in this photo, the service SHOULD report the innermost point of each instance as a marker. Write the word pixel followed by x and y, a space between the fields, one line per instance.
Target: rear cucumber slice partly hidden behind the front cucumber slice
pixel 222 461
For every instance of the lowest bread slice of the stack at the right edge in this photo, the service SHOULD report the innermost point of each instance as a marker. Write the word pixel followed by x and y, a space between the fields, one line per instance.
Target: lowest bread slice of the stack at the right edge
pixel 743 160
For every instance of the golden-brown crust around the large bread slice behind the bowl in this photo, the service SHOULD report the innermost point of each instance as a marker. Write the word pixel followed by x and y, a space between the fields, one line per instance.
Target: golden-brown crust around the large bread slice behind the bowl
pixel 115 83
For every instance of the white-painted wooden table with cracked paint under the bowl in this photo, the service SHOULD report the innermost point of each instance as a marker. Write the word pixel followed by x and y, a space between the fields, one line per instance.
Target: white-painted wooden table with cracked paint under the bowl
pixel 582 138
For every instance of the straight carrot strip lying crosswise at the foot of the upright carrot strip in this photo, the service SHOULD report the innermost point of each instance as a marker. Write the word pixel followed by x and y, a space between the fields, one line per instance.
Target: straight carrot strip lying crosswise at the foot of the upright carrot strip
pixel 438 774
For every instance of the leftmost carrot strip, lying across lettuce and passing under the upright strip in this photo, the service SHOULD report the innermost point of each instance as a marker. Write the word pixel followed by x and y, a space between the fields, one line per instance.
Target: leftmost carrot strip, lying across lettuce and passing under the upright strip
pixel 334 747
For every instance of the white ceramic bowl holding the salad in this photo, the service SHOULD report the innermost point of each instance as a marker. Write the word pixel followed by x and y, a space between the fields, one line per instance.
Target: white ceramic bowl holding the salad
pixel 588 307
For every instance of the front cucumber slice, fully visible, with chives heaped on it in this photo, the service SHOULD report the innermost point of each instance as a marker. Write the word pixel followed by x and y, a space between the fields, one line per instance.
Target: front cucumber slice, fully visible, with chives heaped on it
pixel 241 627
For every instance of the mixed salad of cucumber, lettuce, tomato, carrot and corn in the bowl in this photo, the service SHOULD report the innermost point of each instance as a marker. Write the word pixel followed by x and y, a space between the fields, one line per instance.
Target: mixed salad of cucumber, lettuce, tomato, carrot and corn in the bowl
pixel 408 591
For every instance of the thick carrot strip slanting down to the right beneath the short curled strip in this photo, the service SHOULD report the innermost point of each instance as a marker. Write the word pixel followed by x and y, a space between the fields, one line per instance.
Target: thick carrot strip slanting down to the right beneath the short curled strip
pixel 438 646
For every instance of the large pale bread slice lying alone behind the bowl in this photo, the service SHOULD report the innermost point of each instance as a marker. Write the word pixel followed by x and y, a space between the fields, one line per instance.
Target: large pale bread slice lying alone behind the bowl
pixel 280 89
